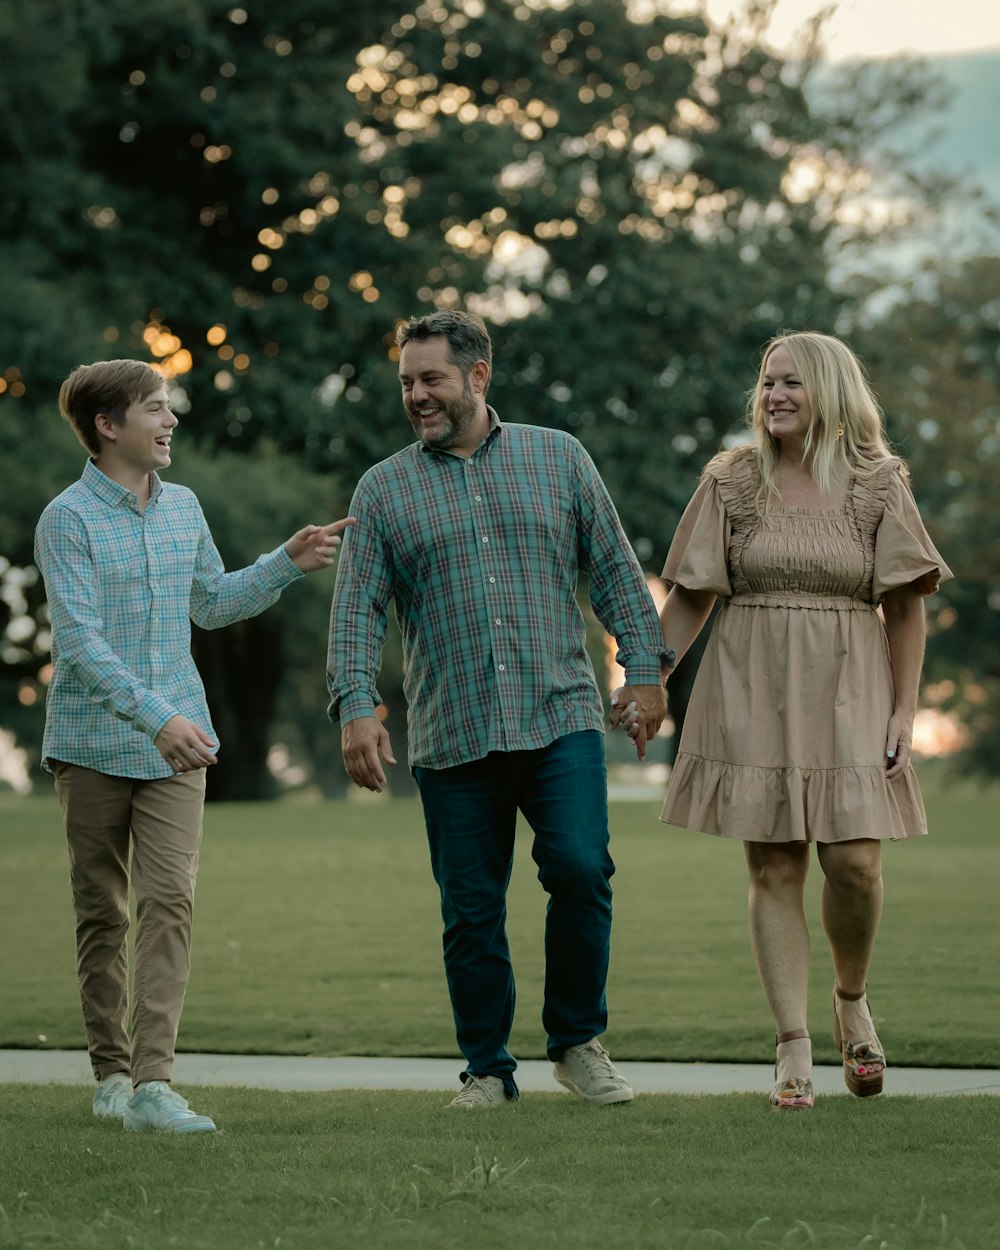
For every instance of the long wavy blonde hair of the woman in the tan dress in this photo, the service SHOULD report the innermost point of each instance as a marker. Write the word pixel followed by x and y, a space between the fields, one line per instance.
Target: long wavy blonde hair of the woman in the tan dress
pixel 848 426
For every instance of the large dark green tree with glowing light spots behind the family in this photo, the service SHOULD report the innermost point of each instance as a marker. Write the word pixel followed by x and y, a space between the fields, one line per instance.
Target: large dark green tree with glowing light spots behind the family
pixel 253 196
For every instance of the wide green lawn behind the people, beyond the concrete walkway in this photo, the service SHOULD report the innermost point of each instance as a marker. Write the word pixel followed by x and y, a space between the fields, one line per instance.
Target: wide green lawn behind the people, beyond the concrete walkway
pixel 318 933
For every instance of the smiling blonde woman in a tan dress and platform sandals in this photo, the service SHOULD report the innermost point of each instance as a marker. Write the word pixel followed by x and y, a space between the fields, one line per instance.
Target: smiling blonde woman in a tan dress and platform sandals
pixel 801 722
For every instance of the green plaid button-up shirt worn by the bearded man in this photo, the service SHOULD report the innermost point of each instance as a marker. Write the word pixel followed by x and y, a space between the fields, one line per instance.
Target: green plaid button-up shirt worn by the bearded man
pixel 483 557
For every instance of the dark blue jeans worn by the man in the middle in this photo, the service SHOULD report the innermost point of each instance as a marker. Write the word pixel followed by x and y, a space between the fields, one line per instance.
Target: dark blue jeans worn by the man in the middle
pixel 471 814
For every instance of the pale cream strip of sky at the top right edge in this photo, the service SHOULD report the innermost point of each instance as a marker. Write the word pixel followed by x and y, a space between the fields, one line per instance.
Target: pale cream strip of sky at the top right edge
pixel 881 28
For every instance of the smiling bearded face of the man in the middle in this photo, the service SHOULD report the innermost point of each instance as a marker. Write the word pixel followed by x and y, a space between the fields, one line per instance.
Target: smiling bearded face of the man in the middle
pixel 447 408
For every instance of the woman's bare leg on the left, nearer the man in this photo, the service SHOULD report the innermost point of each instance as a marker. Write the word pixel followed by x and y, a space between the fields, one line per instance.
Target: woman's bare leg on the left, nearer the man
pixel 779 938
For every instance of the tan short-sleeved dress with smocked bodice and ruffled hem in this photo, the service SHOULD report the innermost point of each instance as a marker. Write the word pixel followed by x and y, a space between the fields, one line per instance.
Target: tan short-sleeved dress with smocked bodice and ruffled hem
pixel 784 738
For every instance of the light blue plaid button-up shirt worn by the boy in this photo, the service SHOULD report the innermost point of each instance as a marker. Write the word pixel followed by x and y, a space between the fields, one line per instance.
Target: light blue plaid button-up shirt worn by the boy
pixel 123 588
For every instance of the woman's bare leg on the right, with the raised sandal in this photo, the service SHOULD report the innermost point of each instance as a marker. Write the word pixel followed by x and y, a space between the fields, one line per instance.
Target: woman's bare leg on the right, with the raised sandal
pixel 852 909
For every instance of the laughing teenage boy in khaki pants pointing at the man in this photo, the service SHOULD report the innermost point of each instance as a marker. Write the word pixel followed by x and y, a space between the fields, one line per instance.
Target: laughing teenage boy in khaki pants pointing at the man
pixel 128 563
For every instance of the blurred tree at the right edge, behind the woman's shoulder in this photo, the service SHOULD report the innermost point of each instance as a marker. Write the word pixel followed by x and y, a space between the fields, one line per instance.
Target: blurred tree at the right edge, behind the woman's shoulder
pixel 936 361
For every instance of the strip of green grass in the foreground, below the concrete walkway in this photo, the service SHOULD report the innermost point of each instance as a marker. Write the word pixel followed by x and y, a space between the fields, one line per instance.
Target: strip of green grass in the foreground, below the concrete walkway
pixel 372 1171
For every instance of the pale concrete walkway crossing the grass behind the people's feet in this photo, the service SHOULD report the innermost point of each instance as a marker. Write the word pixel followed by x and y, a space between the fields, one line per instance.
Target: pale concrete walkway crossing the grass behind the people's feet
pixel 296 1073
